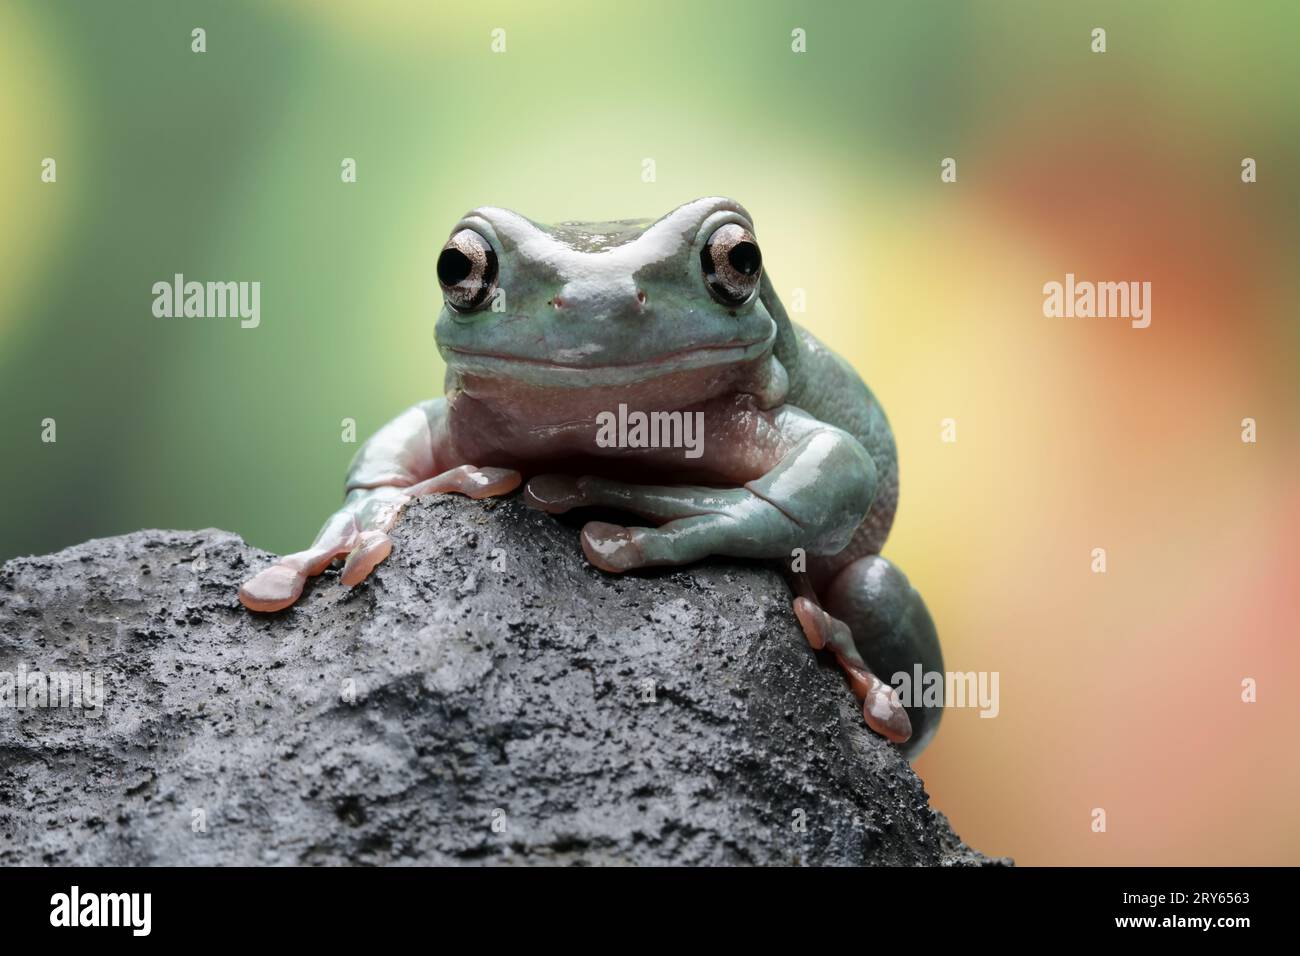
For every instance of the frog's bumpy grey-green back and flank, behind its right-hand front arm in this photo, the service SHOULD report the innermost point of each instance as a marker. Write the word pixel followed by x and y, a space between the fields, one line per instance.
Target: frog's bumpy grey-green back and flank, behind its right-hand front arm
pixel 825 386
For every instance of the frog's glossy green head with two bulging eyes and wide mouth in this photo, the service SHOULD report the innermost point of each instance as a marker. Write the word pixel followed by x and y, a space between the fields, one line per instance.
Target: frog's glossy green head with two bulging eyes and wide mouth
pixel 605 305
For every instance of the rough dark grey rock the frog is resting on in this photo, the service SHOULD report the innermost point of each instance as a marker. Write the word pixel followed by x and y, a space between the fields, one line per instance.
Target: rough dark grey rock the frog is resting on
pixel 497 678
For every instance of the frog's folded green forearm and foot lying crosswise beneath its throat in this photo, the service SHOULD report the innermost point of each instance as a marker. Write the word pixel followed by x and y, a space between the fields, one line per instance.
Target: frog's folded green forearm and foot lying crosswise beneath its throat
pixel 696 521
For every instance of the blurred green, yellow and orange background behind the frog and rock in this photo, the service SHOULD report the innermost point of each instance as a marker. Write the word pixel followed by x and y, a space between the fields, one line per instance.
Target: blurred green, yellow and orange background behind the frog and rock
pixel 1120 691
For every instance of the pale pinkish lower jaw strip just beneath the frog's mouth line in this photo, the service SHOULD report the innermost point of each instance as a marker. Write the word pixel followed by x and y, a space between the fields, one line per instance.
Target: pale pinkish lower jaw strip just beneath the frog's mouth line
pixel 553 375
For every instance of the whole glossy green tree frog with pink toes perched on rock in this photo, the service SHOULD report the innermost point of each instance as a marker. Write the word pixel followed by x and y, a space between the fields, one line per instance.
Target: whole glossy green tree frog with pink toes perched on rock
pixel 543 328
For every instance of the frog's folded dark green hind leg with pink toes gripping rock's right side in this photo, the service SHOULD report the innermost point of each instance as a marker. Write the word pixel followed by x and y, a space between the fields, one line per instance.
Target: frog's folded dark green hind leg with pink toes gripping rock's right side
pixel 876 624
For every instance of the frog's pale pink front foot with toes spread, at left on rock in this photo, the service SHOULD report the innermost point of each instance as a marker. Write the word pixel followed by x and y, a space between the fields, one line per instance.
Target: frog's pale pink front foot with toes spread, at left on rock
pixel 358 533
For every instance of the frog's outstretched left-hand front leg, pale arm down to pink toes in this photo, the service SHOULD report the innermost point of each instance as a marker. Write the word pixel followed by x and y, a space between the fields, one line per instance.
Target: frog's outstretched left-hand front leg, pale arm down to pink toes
pixel 401 462
